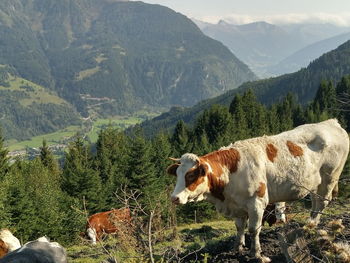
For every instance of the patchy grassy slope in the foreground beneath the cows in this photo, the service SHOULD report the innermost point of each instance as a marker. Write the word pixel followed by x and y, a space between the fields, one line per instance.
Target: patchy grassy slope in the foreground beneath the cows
pixel 215 238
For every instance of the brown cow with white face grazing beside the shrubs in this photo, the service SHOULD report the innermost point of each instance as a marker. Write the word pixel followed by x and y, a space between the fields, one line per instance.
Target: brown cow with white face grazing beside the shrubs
pixel 107 222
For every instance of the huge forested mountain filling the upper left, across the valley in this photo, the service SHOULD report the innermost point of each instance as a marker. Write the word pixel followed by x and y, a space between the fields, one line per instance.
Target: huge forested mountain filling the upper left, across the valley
pixel 128 55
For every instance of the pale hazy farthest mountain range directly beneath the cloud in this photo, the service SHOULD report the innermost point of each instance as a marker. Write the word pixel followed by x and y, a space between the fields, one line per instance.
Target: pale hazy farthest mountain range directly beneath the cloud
pixel 261 45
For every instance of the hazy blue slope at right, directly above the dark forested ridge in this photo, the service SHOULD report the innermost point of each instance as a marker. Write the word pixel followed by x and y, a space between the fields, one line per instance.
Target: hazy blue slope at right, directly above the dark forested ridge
pixel 304 56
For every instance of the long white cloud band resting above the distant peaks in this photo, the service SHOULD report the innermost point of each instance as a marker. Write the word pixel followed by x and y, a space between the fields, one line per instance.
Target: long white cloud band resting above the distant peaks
pixel 342 19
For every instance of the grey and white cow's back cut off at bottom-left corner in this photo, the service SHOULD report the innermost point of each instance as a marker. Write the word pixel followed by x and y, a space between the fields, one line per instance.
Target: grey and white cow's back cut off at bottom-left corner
pixel 38 251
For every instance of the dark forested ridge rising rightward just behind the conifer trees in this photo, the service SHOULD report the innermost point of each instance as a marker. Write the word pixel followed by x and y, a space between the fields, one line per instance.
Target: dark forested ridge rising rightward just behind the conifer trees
pixel 303 85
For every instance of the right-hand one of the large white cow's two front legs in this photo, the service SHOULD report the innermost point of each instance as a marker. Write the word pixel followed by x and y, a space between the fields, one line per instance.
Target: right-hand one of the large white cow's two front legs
pixel 255 213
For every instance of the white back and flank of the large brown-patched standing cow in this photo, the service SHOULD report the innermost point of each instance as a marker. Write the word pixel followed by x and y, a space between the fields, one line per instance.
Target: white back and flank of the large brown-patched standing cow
pixel 291 162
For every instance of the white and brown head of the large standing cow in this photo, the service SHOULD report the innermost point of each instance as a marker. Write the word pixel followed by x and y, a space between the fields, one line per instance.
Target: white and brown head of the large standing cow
pixel 191 183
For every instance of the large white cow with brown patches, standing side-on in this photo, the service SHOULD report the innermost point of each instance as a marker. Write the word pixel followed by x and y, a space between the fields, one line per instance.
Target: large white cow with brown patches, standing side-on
pixel 243 178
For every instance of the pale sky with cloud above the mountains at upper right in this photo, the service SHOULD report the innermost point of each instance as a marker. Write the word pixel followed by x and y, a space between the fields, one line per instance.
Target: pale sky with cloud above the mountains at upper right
pixel 273 11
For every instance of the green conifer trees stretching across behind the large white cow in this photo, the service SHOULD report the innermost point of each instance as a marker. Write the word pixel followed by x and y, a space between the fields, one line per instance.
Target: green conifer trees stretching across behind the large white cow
pixel 47 196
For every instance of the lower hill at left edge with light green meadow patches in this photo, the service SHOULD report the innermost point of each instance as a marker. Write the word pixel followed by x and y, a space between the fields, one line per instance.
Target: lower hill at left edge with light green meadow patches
pixel 28 108
